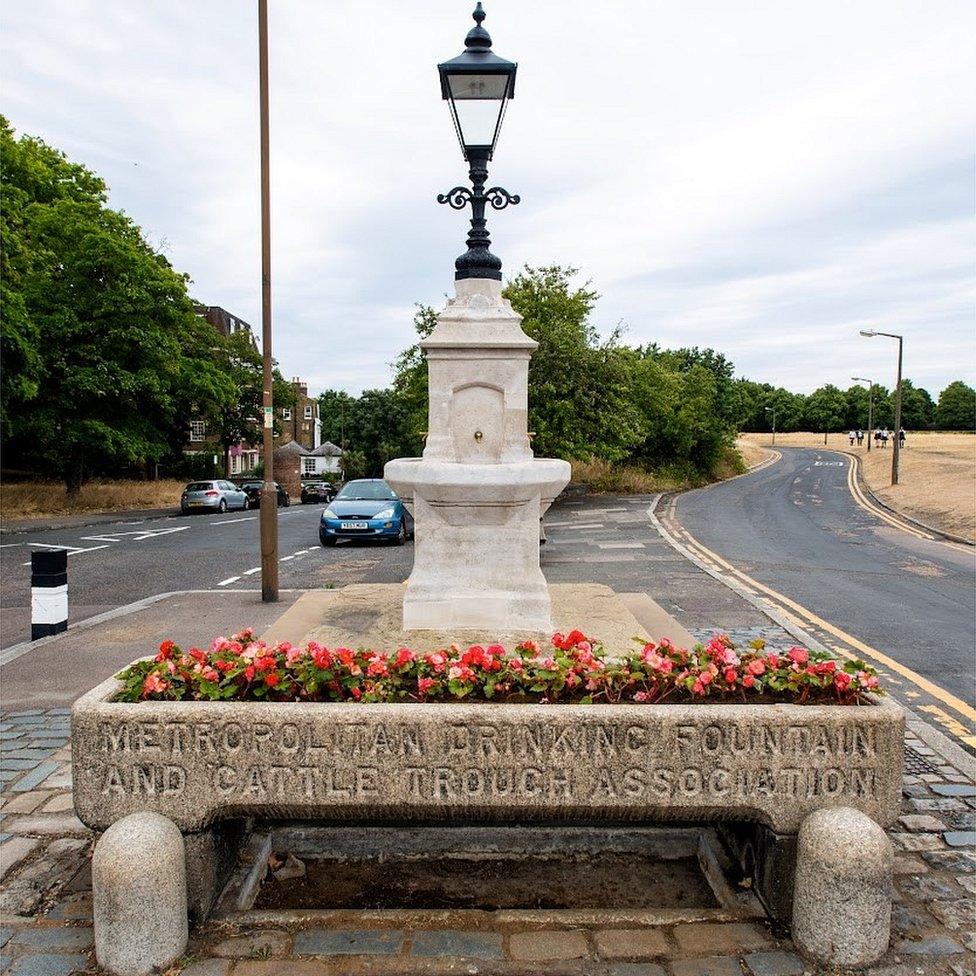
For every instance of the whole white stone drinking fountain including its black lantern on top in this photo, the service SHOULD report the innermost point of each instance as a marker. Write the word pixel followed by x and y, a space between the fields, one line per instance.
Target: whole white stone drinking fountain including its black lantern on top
pixel 477 493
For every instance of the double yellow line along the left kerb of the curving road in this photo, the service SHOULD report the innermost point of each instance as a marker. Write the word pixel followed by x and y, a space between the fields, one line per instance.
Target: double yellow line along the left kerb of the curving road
pixel 798 614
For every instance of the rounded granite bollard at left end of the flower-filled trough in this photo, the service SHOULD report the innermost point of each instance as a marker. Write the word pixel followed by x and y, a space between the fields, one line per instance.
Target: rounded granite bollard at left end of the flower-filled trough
pixel 139 888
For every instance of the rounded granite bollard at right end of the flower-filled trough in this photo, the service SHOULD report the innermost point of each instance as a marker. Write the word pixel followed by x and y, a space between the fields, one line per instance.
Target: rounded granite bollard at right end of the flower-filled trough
pixel 842 891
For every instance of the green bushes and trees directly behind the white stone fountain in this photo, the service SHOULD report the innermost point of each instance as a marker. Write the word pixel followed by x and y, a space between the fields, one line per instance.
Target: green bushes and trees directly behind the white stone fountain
pixel 590 399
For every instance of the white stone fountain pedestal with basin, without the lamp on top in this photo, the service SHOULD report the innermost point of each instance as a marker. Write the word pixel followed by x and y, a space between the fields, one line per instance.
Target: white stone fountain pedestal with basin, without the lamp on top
pixel 477 494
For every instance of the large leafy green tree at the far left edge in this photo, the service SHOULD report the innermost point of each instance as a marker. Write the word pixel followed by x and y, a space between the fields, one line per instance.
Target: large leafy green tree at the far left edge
pixel 106 349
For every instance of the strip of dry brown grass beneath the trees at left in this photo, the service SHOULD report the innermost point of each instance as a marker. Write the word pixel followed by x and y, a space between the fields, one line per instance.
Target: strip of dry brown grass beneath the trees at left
pixel 39 498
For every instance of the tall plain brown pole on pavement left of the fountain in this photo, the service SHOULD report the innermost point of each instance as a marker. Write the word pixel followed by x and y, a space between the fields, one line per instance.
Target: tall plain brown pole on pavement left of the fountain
pixel 269 495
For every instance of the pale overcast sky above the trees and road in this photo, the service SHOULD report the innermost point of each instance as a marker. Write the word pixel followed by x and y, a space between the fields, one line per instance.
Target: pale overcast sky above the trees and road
pixel 765 178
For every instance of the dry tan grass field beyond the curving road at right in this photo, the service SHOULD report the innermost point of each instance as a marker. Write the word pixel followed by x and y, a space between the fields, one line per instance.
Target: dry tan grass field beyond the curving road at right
pixel 937 480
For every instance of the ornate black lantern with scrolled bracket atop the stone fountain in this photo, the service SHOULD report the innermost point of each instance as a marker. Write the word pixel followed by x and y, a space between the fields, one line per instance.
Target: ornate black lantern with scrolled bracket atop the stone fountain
pixel 477 86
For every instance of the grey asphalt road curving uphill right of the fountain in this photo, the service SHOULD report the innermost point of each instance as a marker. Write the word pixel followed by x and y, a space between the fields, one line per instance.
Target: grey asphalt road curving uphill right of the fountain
pixel 795 527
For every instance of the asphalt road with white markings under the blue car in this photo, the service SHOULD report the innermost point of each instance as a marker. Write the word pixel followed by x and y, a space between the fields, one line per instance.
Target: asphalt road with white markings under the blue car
pixel 113 564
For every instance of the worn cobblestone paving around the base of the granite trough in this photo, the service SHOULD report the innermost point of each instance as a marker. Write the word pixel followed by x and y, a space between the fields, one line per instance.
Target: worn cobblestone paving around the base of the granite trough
pixel 45 897
